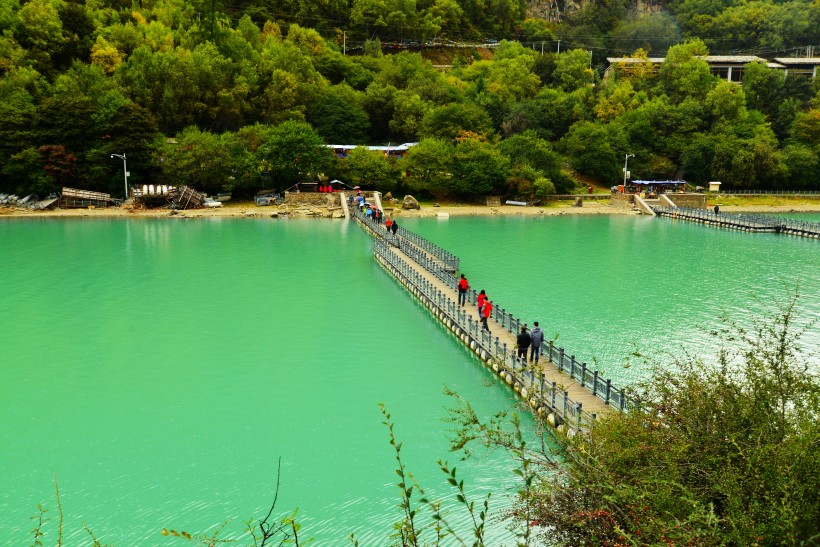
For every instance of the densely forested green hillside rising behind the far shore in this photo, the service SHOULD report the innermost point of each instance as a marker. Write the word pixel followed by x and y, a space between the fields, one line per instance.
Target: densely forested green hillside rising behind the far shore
pixel 239 96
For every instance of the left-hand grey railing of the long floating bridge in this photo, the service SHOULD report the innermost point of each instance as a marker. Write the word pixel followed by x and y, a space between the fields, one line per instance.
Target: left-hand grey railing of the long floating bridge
pixel 548 394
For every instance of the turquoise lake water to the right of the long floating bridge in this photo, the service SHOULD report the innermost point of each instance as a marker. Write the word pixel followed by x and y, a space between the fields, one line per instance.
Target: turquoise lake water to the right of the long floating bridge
pixel 610 286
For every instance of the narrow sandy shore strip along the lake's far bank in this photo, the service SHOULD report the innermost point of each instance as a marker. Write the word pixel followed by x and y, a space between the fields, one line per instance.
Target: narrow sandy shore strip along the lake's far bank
pixel 249 210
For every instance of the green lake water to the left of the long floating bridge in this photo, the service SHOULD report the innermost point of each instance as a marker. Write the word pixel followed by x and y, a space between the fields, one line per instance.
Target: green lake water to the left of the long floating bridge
pixel 160 369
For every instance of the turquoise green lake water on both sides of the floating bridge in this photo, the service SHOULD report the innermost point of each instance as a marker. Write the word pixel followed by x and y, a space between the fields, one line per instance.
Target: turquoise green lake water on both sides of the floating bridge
pixel 160 368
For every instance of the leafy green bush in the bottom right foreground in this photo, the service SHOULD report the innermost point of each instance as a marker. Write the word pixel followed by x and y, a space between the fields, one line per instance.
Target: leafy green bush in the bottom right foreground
pixel 722 453
